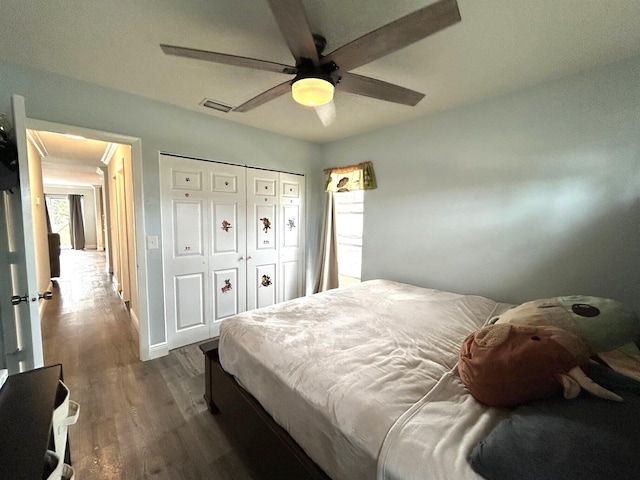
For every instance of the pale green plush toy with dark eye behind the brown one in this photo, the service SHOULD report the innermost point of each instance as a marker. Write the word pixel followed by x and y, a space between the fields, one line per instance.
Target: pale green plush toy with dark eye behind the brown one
pixel 603 323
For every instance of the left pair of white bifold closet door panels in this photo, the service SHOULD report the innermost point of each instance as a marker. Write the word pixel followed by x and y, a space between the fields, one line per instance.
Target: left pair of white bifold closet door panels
pixel 204 246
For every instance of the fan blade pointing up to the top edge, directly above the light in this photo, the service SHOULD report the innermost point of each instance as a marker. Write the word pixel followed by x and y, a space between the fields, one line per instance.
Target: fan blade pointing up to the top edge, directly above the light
pixel 294 26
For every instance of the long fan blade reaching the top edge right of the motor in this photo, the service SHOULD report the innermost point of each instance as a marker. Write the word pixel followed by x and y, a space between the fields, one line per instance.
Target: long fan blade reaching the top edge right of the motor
pixel 396 35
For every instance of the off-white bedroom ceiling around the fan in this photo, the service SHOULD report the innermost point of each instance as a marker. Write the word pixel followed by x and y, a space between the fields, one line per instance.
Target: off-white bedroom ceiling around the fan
pixel 499 46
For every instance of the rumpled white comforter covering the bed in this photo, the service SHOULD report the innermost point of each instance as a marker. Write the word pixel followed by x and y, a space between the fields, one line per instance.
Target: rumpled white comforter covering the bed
pixel 364 372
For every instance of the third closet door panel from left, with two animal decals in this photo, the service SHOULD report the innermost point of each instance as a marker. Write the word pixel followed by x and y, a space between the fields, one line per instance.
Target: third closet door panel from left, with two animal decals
pixel 262 238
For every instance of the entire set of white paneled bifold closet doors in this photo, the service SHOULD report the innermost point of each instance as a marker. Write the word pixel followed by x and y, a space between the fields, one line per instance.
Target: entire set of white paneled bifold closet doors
pixel 232 240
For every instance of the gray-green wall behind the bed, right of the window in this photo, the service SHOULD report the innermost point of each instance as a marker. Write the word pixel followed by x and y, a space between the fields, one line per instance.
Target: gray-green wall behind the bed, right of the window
pixel 523 196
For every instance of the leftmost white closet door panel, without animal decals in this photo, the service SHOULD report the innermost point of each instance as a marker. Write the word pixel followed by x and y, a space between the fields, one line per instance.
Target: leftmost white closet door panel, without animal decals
pixel 185 248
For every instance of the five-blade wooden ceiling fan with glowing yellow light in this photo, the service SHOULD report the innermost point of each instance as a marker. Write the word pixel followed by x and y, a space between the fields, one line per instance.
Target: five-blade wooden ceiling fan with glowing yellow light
pixel 316 75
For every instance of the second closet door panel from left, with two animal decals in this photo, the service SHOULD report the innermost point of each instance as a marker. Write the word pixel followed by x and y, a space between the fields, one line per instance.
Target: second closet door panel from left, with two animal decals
pixel 227 234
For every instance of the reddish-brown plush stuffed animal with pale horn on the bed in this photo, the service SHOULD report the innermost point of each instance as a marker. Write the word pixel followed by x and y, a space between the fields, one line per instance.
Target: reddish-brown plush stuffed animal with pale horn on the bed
pixel 505 365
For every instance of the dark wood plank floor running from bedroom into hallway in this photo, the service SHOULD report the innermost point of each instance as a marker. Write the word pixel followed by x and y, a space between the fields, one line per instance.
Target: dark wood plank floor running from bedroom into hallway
pixel 137 419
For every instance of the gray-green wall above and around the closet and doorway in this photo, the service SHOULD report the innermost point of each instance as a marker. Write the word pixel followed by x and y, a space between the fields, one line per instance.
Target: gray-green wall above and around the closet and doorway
pixel 164 128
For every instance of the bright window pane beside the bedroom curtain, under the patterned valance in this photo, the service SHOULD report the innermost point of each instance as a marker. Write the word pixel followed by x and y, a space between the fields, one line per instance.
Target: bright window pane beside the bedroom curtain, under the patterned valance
pixel 349 225
